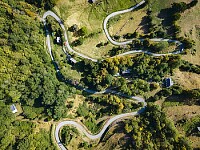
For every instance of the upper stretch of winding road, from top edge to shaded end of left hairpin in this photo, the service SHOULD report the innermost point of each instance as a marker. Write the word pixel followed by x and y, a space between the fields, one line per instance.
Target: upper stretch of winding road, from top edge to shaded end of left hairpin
pixel 52 14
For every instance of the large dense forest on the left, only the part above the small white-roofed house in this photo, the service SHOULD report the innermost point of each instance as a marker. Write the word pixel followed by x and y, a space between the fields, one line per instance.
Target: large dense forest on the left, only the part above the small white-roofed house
pixel 26 69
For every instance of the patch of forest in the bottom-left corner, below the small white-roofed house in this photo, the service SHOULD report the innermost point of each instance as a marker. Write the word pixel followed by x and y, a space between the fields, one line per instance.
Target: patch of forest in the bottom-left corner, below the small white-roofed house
pixel 20 135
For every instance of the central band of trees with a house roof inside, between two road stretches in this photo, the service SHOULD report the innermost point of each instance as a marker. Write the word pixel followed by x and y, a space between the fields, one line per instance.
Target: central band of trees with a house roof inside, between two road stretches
pixel 144 67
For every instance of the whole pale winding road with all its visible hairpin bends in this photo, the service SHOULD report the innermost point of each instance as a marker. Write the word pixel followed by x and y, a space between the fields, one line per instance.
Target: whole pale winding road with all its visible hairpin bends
pixel 80 127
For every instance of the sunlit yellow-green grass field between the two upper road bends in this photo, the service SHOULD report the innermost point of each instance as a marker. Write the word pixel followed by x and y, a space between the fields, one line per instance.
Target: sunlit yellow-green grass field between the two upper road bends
pixel 83 14
